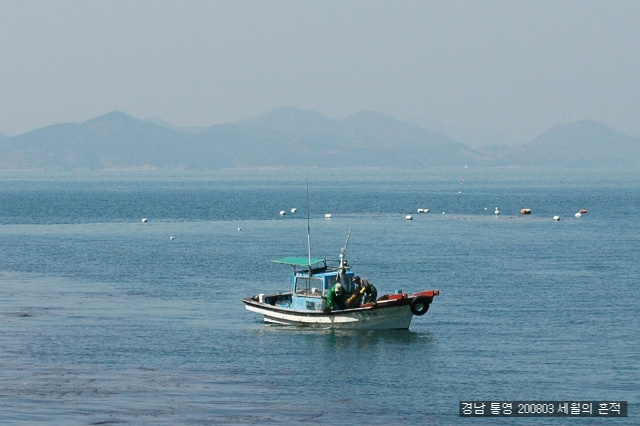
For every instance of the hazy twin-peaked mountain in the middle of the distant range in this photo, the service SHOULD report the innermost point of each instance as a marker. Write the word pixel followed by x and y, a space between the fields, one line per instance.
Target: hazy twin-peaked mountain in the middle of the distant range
pixel 367 138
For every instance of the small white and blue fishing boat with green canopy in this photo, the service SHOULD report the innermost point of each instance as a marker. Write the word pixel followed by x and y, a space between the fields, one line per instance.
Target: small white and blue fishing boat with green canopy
pixel 305 304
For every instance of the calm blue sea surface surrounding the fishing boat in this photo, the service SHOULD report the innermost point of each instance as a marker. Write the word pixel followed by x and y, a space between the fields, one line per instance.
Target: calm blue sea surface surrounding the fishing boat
pixel 105 319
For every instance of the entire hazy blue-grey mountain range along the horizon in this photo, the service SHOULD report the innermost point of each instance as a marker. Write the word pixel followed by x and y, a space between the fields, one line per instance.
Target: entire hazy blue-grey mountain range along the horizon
pixel 291 137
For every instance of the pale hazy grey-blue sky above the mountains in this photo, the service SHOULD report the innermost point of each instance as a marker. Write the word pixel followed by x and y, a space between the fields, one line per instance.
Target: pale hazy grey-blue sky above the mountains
pixel 518 66
